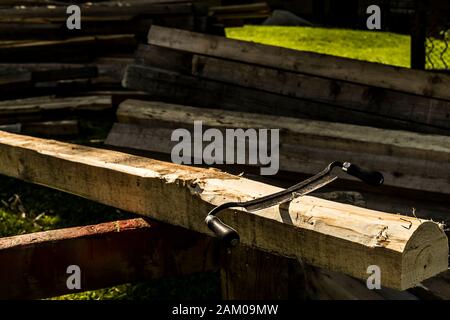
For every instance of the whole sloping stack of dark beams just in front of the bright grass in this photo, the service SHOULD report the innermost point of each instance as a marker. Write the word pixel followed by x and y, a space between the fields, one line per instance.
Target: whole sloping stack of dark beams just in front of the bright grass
pixel 214 72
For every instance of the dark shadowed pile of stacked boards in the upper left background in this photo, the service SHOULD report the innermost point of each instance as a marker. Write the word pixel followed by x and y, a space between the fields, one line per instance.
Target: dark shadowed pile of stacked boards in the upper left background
pixel 58 70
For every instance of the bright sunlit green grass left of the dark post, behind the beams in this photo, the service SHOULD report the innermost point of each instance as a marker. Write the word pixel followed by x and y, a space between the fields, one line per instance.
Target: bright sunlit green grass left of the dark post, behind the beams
pixel 382 47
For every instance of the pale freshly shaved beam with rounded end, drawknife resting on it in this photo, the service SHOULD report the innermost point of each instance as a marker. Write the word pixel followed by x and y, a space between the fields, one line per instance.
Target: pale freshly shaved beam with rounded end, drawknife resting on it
pixel 336 236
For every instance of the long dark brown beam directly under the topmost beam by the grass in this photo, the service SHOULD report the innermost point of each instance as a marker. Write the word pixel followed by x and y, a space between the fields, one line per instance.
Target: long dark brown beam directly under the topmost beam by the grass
pixel 387 103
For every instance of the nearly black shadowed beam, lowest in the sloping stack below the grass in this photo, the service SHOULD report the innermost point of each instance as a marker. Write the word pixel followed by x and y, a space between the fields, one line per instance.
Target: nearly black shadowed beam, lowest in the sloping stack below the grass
pixel 178 88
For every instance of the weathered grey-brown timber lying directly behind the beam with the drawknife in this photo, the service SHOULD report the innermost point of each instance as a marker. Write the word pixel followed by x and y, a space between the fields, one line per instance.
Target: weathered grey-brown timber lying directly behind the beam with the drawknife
pixel 306 146
